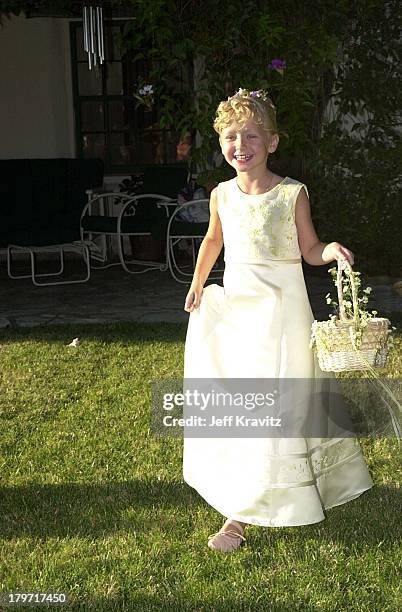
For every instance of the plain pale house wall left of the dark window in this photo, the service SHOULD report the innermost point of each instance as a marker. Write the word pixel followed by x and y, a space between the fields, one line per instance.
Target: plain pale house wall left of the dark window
pixel 36 104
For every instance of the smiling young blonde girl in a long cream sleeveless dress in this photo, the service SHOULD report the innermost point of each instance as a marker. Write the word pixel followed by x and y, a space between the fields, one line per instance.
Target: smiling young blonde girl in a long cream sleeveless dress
pixel 258 326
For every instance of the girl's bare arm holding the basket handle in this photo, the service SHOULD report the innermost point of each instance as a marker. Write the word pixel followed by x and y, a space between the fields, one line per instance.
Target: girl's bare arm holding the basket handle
pixel 316 253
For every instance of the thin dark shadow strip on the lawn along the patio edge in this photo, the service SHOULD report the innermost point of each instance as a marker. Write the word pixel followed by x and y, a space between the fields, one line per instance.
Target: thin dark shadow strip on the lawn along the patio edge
pixel 125 333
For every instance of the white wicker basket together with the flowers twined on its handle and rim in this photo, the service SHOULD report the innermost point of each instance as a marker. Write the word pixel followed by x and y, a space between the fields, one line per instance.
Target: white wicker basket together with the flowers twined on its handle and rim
pixel 357 340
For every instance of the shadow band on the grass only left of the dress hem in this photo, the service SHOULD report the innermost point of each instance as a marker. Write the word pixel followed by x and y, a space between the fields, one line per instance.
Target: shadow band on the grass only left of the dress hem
pixel 89 510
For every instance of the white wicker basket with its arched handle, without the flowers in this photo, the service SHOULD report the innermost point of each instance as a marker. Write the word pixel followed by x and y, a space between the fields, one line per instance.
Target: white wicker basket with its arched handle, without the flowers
pixel 338 349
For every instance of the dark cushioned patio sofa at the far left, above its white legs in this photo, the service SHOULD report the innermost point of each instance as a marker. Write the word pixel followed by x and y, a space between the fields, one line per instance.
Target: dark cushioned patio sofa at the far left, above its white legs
pixel 42 199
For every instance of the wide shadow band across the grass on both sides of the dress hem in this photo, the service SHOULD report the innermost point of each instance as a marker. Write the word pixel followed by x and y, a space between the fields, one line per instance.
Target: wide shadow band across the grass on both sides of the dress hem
pixel 43 511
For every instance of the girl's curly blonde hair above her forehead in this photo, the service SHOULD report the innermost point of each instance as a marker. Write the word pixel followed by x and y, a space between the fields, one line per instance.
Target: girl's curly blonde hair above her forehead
pixel 242 107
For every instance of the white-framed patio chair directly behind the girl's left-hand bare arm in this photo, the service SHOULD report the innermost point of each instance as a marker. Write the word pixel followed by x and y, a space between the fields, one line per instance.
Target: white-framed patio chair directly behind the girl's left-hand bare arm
pixel 188 224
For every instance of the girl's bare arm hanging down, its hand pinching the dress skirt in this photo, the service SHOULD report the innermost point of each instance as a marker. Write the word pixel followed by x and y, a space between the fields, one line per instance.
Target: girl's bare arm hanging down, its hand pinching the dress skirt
pixel 208 253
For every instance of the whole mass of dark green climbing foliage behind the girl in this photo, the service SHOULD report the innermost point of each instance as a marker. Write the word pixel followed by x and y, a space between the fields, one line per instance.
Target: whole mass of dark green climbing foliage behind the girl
pixel 337 52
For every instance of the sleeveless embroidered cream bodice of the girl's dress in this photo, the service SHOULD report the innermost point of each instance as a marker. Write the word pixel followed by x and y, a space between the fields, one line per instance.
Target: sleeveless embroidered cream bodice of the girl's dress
pixel 259 227
